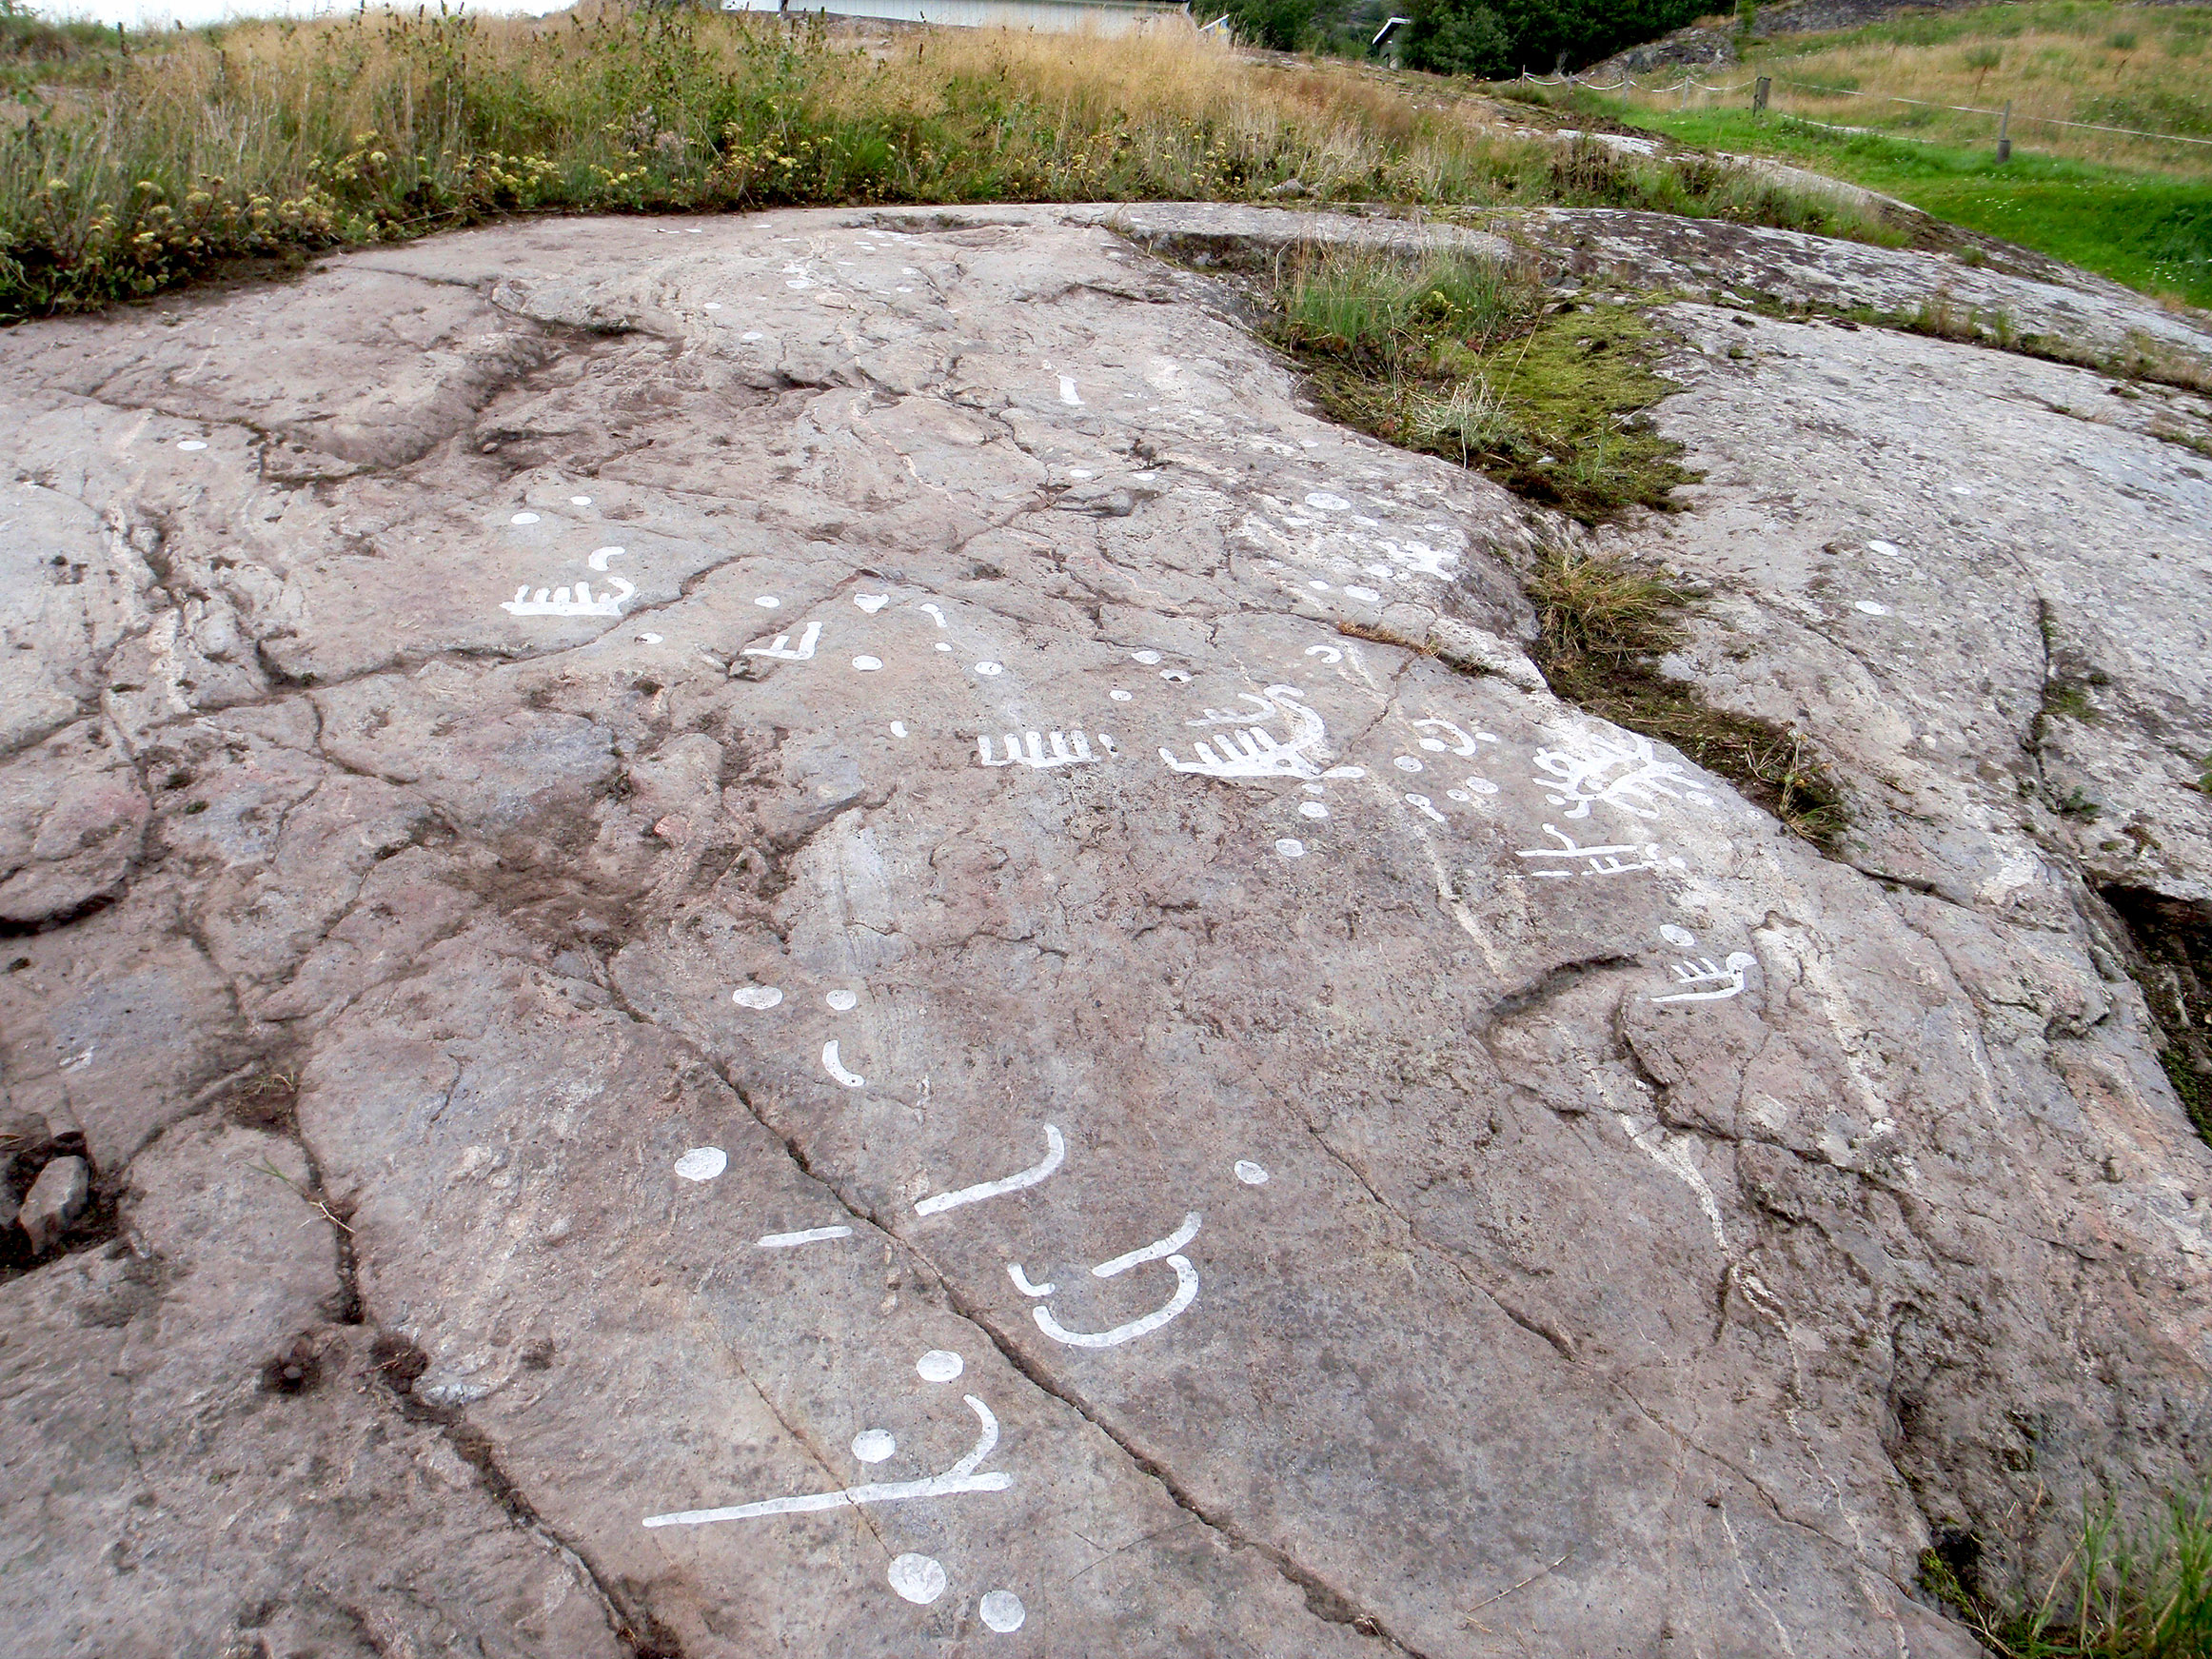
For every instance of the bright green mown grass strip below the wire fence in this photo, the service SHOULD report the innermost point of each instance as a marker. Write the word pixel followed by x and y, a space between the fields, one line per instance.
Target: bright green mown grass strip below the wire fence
pixel 2142 229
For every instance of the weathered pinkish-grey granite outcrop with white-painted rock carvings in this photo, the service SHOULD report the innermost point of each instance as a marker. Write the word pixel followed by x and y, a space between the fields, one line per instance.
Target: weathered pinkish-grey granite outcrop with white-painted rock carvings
pixel 758 957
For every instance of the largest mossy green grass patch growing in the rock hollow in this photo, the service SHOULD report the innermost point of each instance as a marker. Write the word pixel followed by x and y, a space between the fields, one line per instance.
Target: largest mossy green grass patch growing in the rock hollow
pixel 1465 357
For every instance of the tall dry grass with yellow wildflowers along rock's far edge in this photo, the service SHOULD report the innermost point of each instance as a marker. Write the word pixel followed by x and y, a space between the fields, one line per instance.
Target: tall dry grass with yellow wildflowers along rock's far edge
pixel 143 167
